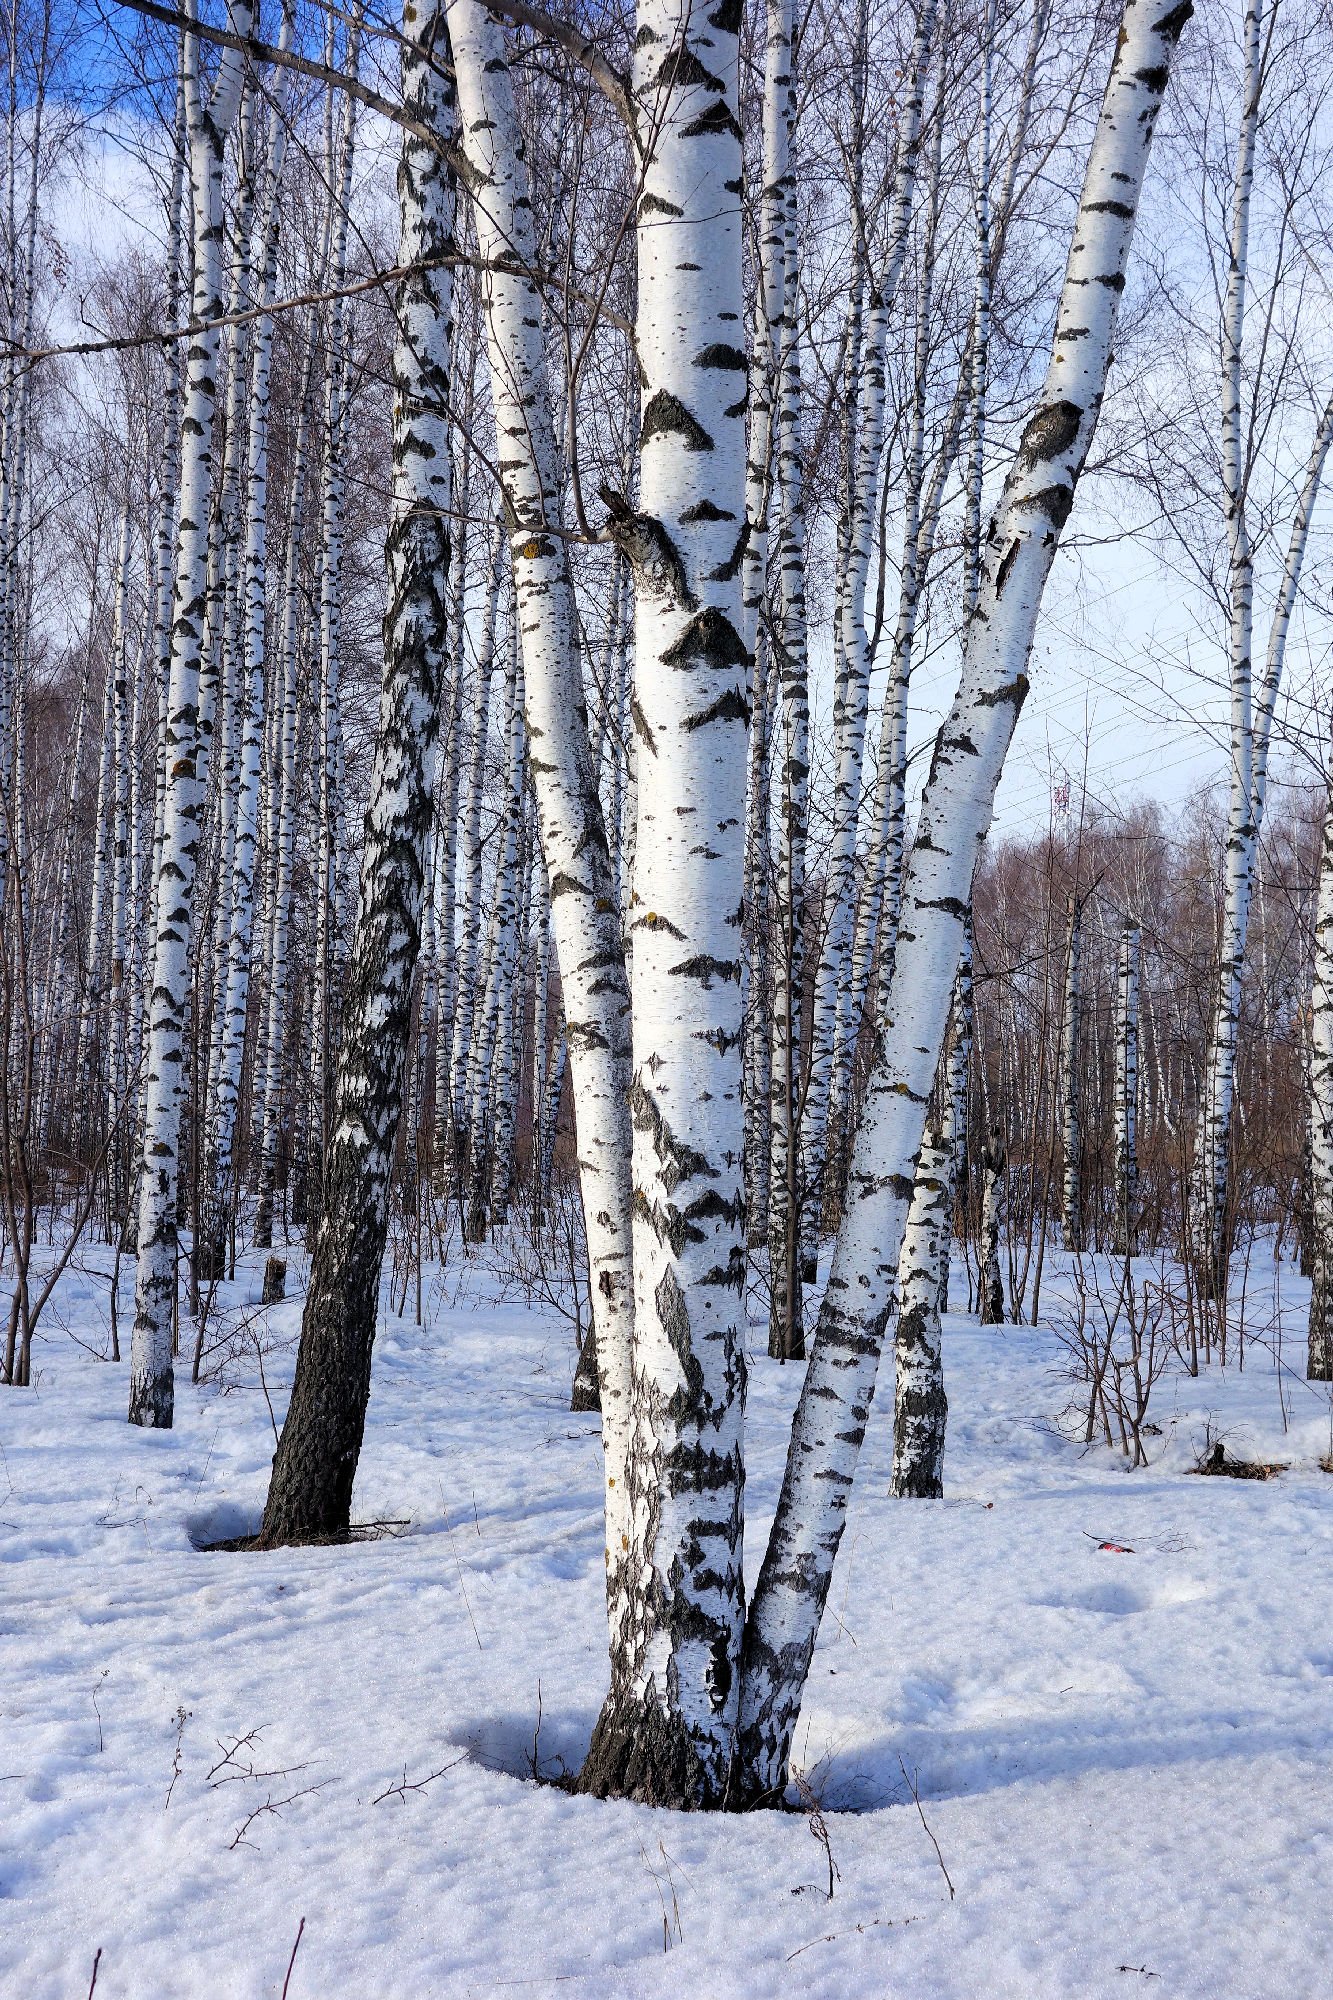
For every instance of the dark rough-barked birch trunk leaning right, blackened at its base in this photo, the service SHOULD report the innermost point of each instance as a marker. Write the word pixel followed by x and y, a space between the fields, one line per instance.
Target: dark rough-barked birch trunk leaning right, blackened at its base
pixel 315 1465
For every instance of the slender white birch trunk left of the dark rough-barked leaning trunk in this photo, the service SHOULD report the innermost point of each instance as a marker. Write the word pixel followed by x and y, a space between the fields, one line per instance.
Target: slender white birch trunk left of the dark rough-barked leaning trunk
pixel 185 781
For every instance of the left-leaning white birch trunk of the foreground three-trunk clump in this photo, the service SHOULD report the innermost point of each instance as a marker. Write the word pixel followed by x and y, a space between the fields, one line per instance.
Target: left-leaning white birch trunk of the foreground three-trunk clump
pixel 583 893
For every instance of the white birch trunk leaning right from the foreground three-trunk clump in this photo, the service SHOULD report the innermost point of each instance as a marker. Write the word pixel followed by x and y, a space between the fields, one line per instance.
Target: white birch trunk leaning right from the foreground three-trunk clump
pixel 956 815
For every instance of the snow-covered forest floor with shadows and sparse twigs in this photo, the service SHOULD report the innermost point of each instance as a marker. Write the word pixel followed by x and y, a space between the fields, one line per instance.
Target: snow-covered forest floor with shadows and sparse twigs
pixel 1048 1767
